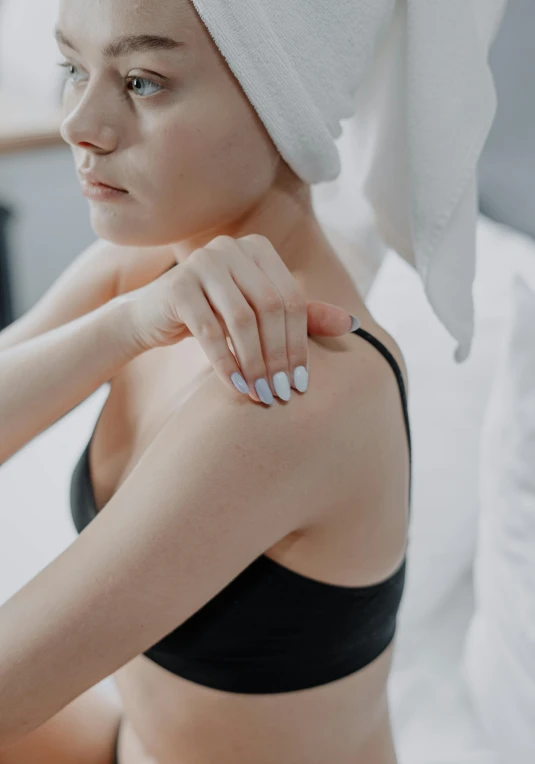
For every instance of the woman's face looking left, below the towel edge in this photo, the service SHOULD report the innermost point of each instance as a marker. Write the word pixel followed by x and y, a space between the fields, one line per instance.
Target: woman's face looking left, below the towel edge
pixel 167 123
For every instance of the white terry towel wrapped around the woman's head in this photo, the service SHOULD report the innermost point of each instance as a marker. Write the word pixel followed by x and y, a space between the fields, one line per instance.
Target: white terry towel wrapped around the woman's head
pixel 413 79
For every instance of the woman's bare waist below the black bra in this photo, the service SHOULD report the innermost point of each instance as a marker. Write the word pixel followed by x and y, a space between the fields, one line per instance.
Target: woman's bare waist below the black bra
pixel 174 719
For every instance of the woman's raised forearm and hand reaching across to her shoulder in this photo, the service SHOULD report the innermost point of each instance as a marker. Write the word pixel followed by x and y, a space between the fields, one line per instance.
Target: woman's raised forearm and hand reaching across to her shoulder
pixel 44 378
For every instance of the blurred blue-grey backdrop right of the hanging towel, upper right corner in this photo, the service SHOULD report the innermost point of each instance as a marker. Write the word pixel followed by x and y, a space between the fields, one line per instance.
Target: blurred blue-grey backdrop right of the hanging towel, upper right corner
pixel 507 165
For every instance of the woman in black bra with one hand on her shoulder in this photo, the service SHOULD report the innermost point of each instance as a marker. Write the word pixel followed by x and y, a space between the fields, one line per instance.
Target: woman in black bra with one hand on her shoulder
pixel 243 583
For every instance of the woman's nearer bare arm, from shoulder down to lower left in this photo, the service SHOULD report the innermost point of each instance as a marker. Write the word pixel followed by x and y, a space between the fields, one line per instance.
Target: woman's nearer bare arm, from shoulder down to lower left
pixel 212 492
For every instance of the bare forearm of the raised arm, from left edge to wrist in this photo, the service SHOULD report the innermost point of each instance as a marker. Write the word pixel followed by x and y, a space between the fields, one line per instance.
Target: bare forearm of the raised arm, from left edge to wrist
pixel 44 378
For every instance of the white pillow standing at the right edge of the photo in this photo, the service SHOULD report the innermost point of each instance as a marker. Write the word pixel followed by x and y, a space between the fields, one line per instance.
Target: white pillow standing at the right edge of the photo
pixel 499 655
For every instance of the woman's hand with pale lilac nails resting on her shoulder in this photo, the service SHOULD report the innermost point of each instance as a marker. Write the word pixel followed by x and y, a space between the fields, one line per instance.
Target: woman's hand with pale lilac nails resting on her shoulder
pixel 238 289
